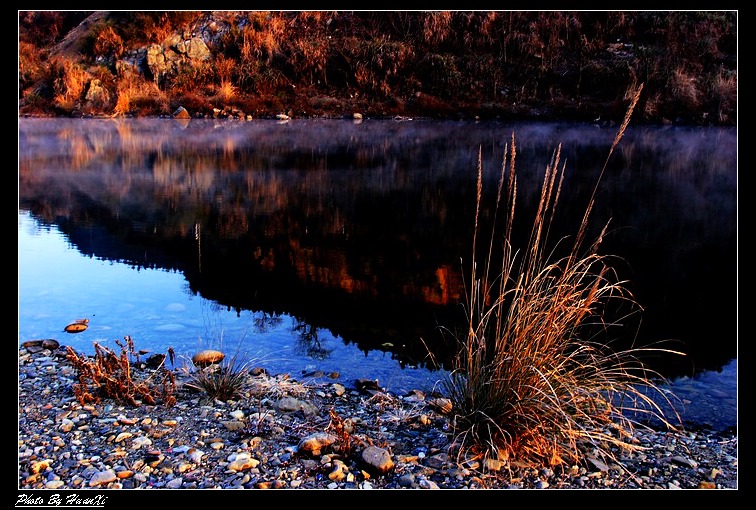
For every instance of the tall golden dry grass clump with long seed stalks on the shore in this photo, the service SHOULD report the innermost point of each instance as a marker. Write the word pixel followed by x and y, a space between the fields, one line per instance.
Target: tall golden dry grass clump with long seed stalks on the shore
pixel 526 384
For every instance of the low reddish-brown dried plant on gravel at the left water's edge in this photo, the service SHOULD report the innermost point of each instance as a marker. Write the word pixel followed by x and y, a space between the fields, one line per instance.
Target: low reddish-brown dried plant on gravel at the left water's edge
pixel 111 375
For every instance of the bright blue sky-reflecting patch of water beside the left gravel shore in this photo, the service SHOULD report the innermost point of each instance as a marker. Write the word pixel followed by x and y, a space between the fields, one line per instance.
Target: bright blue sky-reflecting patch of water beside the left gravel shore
pixel 57 285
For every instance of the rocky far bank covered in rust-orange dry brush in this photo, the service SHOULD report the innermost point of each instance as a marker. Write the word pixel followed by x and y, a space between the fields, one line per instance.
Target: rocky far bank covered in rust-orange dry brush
pixel 450 64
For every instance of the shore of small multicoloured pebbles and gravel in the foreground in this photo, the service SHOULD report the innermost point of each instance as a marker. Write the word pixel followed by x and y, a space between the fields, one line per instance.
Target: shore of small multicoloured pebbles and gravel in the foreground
pixel 282 435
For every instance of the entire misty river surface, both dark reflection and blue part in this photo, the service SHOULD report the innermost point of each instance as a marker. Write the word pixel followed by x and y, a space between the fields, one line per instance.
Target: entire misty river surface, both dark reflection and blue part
pixel 339 247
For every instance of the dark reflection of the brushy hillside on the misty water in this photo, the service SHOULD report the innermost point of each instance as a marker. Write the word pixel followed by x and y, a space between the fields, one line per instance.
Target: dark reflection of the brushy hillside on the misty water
pixel 363 230
